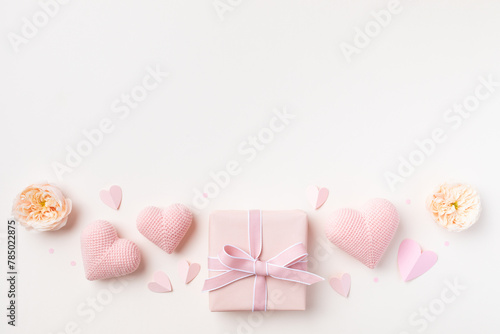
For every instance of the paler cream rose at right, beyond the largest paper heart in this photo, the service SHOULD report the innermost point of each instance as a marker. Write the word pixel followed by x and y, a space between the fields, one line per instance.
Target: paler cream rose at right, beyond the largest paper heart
pixel 455 207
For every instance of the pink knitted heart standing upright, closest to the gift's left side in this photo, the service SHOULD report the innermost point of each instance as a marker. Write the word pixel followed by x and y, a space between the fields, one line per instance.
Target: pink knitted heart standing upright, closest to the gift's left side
pixel 165 227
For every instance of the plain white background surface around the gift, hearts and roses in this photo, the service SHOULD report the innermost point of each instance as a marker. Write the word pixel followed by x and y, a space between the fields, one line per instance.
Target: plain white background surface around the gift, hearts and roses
pixel 352 122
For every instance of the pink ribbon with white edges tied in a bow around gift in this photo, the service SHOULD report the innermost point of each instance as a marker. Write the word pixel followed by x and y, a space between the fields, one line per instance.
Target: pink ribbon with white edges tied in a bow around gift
pixel 236 264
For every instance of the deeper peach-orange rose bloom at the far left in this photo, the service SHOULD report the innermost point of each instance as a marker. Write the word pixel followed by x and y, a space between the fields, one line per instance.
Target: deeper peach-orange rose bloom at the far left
pixel 41 207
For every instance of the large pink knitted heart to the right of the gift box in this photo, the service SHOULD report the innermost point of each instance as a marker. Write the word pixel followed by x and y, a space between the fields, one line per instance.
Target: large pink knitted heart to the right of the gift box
pixel 364 234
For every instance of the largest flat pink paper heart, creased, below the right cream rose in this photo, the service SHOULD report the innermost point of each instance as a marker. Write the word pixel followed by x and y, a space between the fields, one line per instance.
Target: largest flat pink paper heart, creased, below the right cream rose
pixel 412 261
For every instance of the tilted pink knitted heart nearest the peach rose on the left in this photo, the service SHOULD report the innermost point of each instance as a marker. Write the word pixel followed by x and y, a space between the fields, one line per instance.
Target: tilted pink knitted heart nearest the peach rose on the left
pixel 105 255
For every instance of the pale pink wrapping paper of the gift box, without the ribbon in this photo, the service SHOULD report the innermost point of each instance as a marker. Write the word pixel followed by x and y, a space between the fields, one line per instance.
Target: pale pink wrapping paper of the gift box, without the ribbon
pixel 280 230
